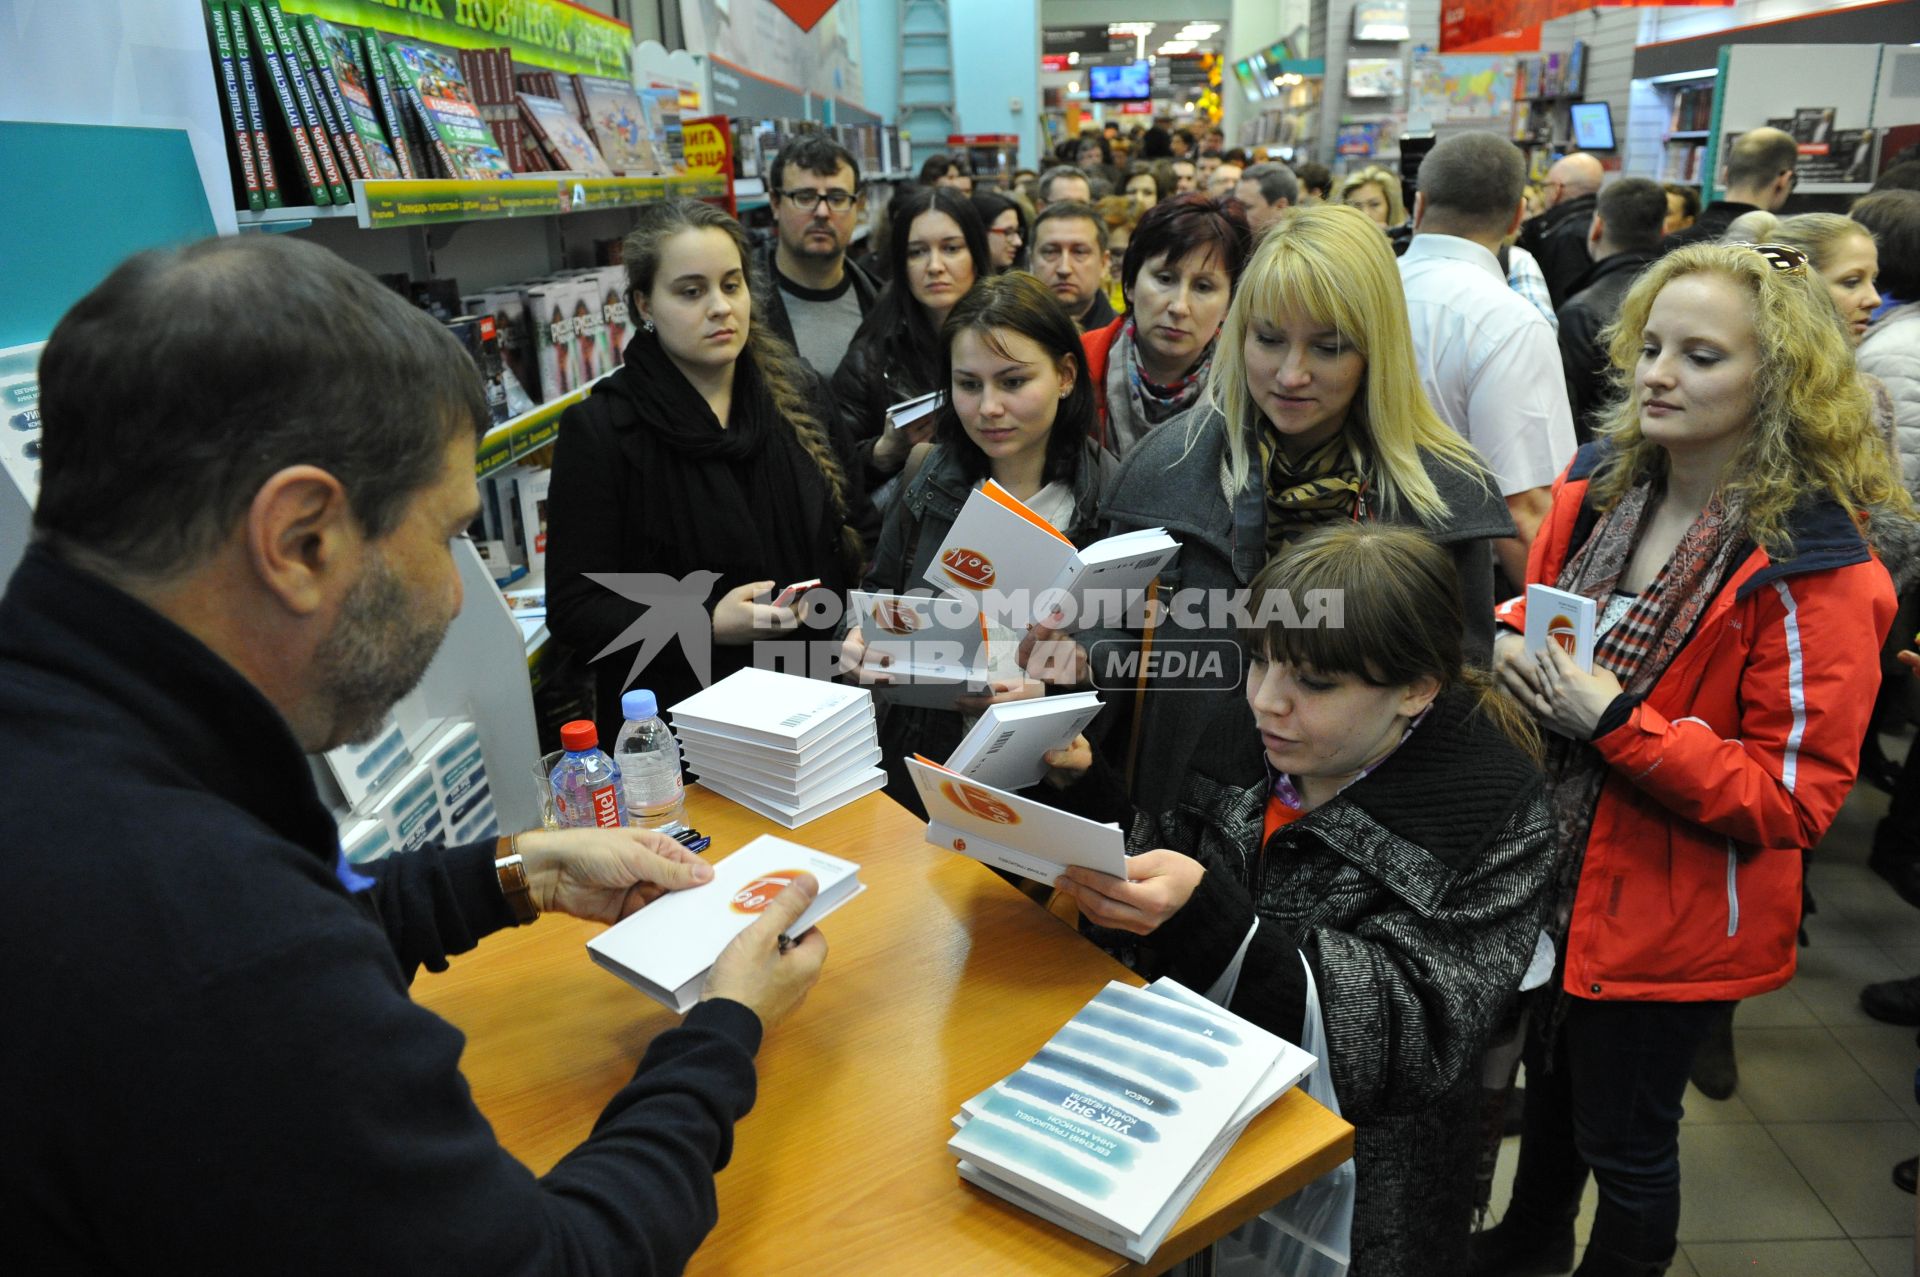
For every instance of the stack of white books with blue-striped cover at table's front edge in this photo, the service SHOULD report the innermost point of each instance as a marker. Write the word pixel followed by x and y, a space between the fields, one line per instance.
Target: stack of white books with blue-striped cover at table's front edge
pixel 1116 1124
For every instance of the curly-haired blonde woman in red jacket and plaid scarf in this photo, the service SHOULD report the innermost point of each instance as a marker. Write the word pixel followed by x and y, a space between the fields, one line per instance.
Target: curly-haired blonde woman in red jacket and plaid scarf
pixel 1717 525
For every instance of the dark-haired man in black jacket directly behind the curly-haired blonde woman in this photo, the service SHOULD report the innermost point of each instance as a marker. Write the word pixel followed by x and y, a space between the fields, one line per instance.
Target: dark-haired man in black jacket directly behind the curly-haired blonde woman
pixel 1625 237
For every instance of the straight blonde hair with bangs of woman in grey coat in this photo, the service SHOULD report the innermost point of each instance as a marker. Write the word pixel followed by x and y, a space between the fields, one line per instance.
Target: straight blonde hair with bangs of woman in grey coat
pixel 1335 266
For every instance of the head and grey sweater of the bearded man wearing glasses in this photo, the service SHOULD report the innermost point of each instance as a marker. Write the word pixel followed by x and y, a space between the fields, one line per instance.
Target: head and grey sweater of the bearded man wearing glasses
pixel 817 297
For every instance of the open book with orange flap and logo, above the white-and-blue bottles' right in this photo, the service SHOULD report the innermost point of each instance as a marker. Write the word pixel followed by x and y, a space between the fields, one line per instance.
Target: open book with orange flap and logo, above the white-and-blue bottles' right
pixel 1019 564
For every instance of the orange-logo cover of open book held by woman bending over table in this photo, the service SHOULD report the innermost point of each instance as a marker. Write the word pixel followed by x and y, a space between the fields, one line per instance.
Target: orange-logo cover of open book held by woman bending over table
pixel 1011 832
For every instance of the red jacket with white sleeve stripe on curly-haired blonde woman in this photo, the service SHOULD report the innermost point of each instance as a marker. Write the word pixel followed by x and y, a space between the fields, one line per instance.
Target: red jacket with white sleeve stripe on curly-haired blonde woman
pixel 1737 759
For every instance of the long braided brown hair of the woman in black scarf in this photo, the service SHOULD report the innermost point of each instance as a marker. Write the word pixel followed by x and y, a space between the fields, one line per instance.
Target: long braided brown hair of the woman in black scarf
pixel 780 368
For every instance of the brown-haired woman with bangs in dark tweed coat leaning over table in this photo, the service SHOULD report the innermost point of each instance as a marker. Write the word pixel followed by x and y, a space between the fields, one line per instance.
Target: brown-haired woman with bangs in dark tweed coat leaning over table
pixel 1364 861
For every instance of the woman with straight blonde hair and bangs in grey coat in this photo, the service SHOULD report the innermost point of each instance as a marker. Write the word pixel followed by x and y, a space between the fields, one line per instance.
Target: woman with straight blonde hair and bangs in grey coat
pixel 1314 414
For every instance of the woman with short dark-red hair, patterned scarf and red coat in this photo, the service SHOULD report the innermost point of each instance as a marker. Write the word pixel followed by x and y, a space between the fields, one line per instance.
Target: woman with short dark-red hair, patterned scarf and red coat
pixel 1178 276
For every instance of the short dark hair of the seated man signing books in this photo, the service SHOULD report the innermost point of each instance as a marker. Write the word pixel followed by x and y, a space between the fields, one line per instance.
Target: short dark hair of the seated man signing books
pixel 191 375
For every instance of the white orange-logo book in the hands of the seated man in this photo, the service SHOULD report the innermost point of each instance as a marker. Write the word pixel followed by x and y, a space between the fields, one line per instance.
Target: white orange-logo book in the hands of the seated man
pixel 667 950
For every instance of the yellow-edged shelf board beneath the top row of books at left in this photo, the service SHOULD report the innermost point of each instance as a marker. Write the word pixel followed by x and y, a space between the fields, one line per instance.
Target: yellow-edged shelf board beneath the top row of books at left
pixel 441 203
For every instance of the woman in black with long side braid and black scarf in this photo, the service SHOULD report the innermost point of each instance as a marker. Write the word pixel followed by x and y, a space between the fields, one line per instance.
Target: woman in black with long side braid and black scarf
pixel 708 464
